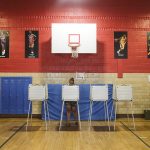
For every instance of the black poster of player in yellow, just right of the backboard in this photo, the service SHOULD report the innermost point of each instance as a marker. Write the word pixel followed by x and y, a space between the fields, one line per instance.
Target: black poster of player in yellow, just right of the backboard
pixel 120 45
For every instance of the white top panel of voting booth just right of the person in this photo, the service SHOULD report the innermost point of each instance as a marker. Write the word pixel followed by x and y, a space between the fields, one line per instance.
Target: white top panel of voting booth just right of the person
pixel 99 92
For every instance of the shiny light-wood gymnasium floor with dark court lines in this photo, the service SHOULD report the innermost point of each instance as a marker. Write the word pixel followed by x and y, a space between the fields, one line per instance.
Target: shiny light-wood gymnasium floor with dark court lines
pixel 13 136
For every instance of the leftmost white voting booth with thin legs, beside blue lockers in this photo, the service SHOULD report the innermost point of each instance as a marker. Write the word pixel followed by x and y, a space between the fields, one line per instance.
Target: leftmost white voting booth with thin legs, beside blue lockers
pixel 38 93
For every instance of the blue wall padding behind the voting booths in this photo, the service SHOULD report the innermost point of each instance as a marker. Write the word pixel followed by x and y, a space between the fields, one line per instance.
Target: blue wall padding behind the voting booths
pixel 55 103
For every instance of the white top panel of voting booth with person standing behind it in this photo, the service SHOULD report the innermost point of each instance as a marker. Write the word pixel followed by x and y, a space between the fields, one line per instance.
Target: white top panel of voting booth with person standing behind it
pixel 70 93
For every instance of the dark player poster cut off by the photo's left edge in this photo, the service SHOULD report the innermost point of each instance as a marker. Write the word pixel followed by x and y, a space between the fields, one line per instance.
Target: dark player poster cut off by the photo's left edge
pixel 4 44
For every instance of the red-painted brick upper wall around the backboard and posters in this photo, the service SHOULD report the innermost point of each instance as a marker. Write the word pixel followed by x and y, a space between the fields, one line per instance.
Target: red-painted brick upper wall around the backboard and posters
pixel 109 15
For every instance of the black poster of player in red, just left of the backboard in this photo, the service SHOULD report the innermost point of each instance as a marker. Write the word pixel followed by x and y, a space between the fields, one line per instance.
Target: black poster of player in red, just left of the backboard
pixel 31 44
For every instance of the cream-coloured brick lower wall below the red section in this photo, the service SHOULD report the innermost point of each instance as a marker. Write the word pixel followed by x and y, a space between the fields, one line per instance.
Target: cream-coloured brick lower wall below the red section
pixel 139 81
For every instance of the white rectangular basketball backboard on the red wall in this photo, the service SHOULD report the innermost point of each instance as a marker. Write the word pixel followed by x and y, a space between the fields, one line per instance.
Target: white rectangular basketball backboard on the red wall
pixel 61 32
